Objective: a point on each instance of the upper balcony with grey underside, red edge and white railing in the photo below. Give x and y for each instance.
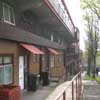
(50, 13)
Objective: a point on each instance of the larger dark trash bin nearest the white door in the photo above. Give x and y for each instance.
(33, 82)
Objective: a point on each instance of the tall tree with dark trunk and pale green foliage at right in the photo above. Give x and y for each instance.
(91, 16)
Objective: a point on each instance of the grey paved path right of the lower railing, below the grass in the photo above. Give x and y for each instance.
(91, 90)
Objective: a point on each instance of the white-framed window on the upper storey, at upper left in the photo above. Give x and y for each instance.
(9, 7)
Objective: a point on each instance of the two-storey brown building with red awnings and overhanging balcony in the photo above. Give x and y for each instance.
(37, 36)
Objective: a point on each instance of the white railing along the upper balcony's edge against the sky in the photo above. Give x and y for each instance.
(58, 7)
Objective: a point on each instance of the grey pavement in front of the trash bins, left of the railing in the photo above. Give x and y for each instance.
(40, 94)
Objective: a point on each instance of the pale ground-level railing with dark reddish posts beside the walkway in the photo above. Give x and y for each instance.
(71, 90)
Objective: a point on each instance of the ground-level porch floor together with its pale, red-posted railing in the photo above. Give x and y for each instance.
(70, 90)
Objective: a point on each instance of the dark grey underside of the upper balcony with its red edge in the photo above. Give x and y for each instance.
(46, 15)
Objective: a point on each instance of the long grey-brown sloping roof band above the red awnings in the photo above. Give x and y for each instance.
(10, 32)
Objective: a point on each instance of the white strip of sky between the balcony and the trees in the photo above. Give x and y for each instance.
(76, 15)
